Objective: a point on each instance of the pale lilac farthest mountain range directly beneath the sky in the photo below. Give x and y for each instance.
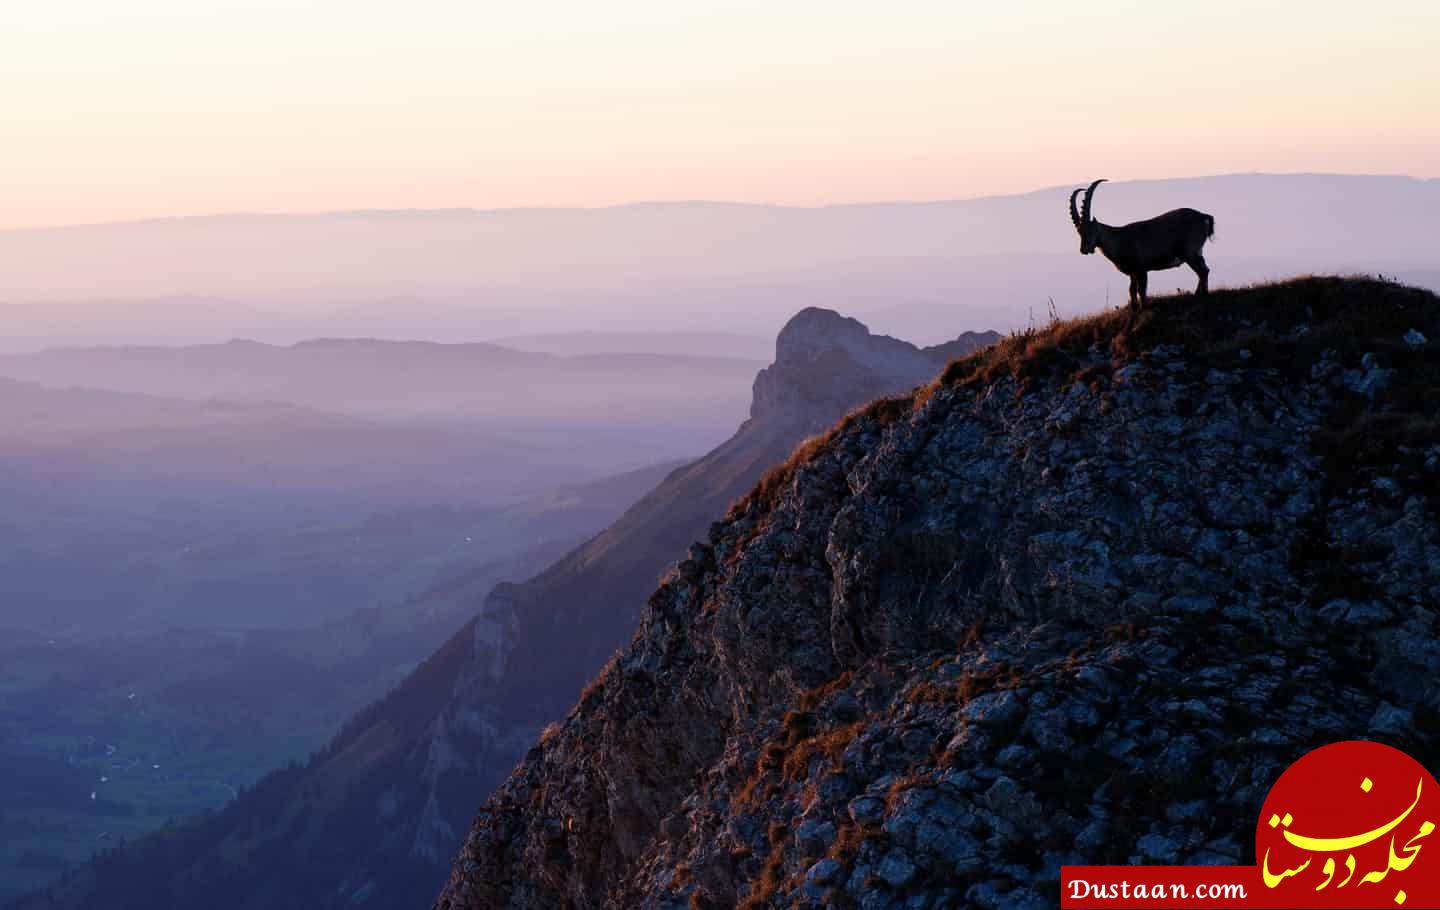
(922, 271)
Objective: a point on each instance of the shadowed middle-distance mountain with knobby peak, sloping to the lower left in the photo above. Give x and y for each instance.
(375, 819)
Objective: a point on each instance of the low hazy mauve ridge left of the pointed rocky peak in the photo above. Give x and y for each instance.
(411, 379)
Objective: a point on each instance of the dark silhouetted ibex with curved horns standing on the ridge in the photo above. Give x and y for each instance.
(1153, 245)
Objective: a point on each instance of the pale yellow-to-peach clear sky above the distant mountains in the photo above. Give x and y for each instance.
(153, 109)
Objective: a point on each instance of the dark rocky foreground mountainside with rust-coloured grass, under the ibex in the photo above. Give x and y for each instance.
(1081, 600)
